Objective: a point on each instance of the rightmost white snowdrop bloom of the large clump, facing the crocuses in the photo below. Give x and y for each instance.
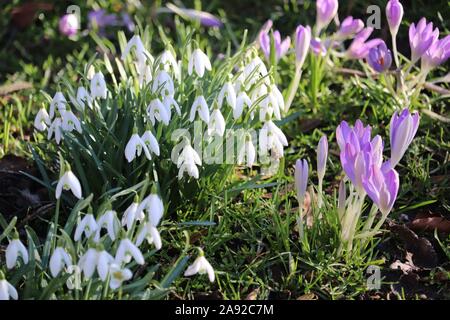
(272, 138)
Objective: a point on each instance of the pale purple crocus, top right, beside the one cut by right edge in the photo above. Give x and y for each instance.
(421, 37)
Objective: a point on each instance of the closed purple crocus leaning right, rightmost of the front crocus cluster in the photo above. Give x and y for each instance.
(403, 129)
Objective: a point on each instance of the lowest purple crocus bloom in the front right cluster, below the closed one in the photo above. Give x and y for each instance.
(382, 187)
